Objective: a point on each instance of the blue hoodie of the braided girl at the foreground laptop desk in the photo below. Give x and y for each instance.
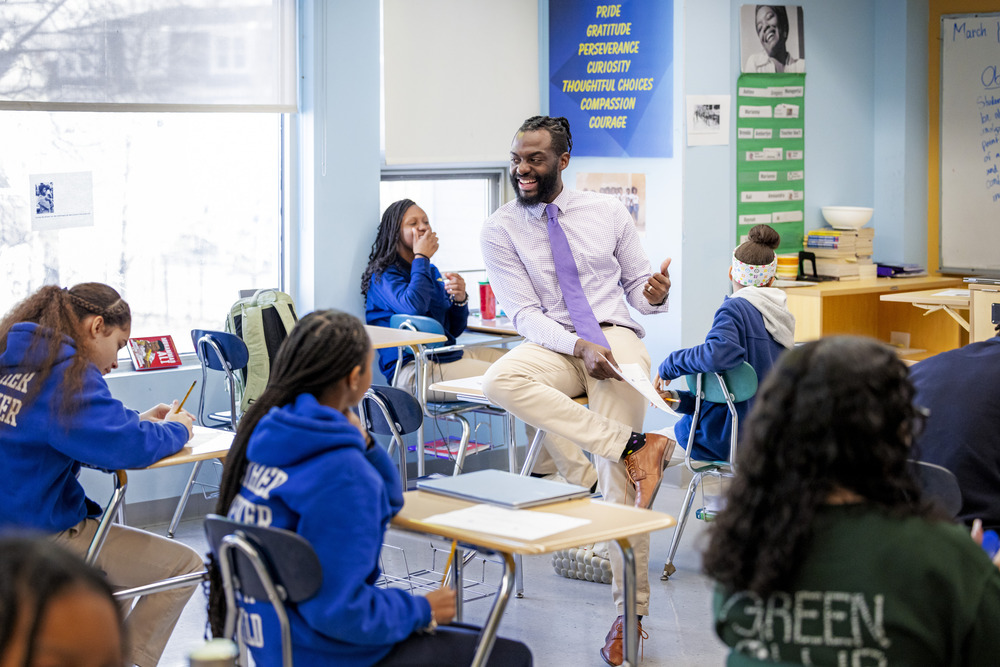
(308, 471)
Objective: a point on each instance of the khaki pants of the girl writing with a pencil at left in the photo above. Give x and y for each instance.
(130, 558)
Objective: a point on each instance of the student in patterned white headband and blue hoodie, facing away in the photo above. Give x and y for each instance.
(752, 325)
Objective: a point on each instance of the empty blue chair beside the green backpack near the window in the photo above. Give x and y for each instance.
(218, 351)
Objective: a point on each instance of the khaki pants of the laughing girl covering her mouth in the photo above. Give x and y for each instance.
(557, 454)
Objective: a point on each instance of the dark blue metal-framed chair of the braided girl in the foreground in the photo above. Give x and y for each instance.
(264, 563)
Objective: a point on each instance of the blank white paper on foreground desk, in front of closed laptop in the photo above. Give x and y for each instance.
(520, 524)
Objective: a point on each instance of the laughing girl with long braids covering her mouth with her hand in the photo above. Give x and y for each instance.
(400, 279)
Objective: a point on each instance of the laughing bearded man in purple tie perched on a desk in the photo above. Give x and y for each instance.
(564, 262)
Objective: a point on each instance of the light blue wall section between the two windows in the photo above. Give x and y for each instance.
(340, 164)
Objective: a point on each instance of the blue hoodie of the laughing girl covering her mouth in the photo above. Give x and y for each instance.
(413, 290)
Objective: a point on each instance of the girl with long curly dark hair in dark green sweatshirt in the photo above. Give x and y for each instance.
(825, 553)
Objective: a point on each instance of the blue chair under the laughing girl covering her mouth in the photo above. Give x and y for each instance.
(447, 411)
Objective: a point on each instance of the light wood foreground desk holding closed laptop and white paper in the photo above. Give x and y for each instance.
(606, 522)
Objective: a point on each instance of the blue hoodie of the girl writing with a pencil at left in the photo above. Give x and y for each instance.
(41, 450)
